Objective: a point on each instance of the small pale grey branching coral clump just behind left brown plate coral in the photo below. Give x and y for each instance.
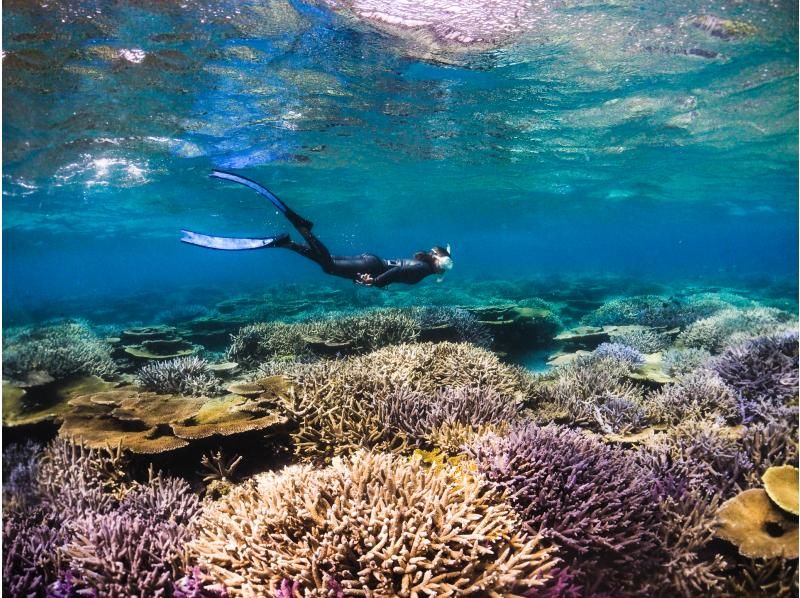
(182, 375)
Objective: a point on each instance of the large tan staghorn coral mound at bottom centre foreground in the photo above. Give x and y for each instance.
(373, 523)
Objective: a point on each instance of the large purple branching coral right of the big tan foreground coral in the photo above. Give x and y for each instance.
(555, 477)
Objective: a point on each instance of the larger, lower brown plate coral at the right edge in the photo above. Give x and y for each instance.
(759, 529)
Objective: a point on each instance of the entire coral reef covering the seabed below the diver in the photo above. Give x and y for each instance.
(401, 452)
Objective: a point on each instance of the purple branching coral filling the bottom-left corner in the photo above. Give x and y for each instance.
(86, 528)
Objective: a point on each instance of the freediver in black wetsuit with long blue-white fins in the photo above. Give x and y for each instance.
(365, 269)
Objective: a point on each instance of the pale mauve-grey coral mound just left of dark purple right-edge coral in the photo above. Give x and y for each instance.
(701, 394)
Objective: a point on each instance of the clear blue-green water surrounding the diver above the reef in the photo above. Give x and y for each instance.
(599, 142)
